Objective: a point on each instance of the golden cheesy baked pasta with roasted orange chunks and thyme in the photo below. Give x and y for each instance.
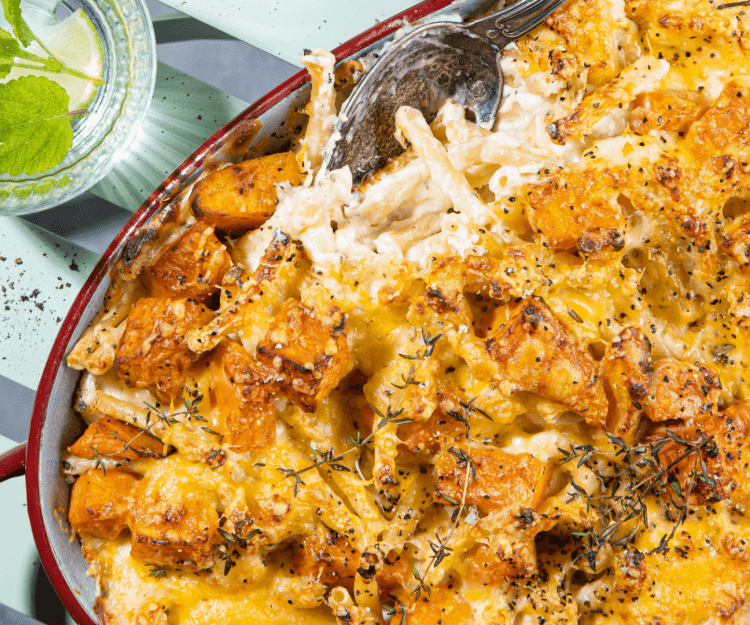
(504, 380)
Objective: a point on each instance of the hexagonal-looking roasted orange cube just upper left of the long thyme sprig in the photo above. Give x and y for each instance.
(307, 348)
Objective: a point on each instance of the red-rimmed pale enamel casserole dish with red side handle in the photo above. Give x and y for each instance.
(54, 425)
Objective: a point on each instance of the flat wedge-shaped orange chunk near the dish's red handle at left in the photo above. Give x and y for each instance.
(112, 437)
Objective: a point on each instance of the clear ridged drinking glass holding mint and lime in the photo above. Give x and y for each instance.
(115, 114)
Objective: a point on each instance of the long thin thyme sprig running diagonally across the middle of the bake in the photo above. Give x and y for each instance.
(392, 416)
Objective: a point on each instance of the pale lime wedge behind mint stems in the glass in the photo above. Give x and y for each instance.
(74, 42)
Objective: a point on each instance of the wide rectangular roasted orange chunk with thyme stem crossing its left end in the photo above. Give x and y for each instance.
(497, 480)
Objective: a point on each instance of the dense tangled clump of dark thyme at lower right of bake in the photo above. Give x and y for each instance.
(638, 474)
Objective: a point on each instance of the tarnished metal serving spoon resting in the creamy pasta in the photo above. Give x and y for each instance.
(433, 63)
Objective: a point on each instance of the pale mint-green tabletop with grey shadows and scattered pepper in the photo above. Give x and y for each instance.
(44, 259)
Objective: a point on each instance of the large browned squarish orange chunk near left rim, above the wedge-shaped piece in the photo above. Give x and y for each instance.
(152, 351)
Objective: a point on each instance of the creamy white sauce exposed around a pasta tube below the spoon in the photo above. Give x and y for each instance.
(406, 214)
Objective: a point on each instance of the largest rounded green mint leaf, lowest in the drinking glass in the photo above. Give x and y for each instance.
(35, 131)
